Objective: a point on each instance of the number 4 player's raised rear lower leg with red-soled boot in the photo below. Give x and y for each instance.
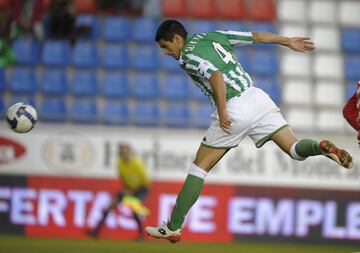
(302, 149)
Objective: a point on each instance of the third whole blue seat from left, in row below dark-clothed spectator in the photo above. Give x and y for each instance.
(85, 55)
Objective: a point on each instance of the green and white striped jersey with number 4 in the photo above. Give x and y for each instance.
(205, 53)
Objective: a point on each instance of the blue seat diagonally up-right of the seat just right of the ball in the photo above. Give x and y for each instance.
(84, 83)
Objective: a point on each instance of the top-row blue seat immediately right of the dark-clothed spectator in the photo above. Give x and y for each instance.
(116, 28)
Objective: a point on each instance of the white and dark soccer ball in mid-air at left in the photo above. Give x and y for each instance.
(21, 117)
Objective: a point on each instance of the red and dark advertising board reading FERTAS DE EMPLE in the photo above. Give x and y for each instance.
(67, 207)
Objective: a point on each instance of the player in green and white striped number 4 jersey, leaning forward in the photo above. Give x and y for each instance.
(241, 109)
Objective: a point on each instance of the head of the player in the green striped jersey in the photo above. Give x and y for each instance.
(171, 36)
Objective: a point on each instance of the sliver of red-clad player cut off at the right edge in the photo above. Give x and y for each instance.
(351, 111)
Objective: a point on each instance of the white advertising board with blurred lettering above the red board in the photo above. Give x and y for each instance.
(81, 151)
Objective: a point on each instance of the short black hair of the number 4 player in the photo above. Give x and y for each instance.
(168, 28)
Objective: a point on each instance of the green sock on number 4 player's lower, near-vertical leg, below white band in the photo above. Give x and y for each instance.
(187, 197)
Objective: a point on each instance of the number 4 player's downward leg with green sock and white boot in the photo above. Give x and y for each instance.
(205, 159)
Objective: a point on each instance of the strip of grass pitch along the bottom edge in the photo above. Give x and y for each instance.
(12, 244)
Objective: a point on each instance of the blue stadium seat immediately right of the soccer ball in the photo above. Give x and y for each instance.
(53, 109)
